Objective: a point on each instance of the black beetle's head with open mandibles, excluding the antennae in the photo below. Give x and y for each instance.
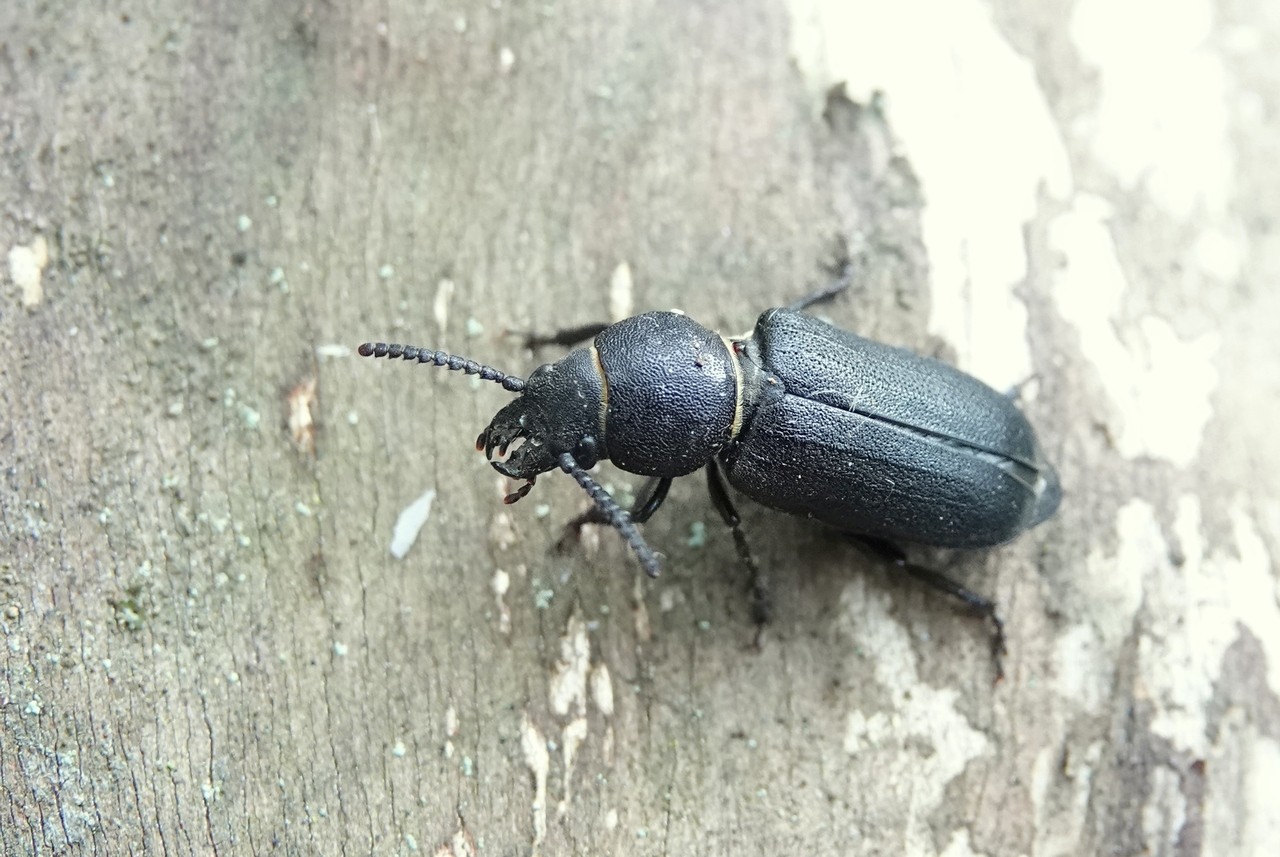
(557, 413)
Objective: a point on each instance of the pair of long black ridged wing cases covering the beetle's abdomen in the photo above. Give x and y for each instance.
(880, 442)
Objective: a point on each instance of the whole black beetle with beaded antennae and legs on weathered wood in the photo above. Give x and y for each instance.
(876, 442)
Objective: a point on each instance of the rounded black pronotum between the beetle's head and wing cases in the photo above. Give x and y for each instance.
(673, 393)
